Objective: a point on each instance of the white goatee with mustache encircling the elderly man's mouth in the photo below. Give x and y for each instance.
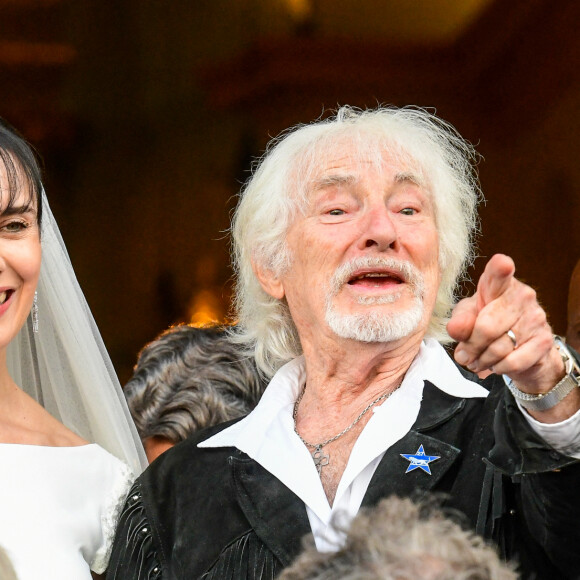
(376, 326)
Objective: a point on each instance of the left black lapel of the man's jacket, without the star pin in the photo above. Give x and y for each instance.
(276, 514)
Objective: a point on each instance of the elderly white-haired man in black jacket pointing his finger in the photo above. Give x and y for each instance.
(349, 241)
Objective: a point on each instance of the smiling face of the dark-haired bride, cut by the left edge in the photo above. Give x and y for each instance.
(20, 254)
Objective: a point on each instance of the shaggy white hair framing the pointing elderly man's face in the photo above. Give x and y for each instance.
(277, 193)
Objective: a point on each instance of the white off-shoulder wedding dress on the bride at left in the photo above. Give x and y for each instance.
(59, 508)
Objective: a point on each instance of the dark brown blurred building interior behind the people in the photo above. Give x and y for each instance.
(148, 114)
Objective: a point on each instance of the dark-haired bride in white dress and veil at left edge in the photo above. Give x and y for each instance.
(68, 448)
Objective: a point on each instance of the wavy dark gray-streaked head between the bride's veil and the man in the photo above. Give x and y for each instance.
(186, 379)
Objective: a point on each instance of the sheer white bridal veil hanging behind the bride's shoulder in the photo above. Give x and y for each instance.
(65, 365)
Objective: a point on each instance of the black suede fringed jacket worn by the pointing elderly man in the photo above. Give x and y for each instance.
(215, 514)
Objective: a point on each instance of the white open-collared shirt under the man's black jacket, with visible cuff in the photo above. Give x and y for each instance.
(267, 436)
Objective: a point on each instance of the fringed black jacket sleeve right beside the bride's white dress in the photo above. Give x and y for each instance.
(134, 555)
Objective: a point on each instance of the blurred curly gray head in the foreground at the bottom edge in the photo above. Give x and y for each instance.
(402, 540)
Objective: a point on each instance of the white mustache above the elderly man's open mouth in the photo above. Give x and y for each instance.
(405, 270)
